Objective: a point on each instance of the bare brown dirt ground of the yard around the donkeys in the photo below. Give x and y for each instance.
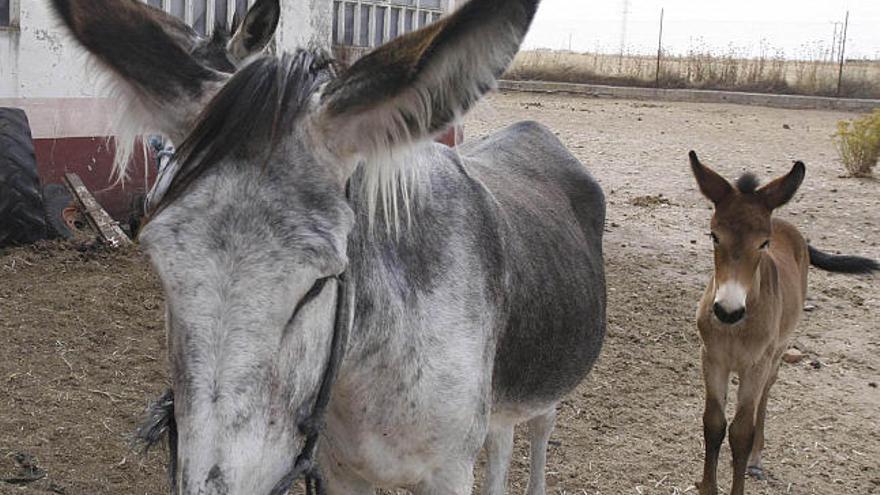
(82, 343)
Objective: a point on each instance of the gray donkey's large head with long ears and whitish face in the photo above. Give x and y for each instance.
(252, 224)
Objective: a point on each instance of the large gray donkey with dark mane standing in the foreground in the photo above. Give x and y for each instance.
(298, 302)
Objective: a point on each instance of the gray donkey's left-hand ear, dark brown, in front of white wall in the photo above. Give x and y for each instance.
(147, 50)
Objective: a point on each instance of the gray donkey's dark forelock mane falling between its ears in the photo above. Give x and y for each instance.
(257, 106)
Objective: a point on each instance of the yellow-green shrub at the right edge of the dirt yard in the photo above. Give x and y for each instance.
(858, 143)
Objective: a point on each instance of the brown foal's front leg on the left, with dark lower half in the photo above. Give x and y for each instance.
(715, 379)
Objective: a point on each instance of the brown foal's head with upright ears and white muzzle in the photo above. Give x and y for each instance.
(741, 230)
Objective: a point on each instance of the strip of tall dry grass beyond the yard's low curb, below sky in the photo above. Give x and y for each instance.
(770, 72)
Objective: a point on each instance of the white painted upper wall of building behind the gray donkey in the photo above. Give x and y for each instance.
(41, 61)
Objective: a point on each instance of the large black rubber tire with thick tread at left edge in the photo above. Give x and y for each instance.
(22, 219)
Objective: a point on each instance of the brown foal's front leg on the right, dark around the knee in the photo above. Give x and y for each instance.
(742, 429)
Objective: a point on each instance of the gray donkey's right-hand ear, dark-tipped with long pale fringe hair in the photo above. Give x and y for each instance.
(416, 85)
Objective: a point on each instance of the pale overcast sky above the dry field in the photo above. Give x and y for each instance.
(801, 28)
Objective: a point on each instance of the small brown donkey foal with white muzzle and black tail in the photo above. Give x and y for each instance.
(750, 309)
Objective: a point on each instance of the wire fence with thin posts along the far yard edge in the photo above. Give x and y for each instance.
(827, 58)
